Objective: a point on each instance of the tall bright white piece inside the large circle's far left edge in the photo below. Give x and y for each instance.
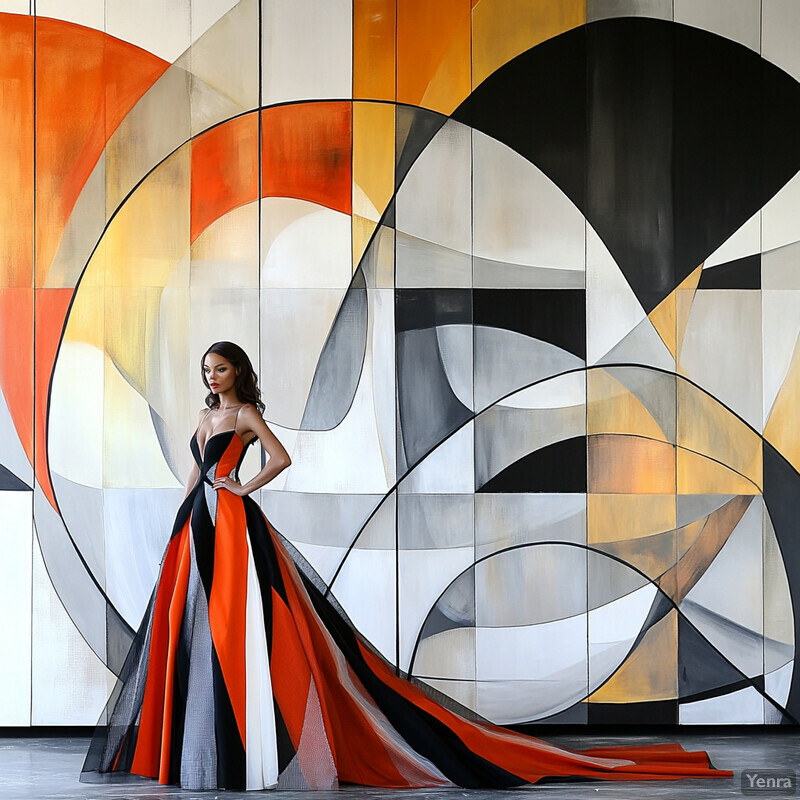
(76, 418)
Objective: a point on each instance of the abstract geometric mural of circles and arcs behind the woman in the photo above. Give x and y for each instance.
(522, 281)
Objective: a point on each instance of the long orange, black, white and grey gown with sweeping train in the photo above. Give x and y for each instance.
(244, 676)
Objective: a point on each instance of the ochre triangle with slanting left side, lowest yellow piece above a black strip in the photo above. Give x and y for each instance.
(650, 672)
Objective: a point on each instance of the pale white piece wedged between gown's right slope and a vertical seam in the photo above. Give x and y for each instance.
(366, 589)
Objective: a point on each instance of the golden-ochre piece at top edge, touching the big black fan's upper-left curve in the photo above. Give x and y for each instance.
(502, 29)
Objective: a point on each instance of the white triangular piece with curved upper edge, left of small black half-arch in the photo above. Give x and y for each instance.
(447, 468)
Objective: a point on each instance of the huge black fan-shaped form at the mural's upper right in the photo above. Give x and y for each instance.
(668, 138)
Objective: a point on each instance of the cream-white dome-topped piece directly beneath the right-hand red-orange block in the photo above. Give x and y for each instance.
(306, 246)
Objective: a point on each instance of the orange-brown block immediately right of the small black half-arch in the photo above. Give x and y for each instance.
(621, 464)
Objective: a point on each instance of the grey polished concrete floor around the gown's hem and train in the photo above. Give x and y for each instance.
(47, 768)
